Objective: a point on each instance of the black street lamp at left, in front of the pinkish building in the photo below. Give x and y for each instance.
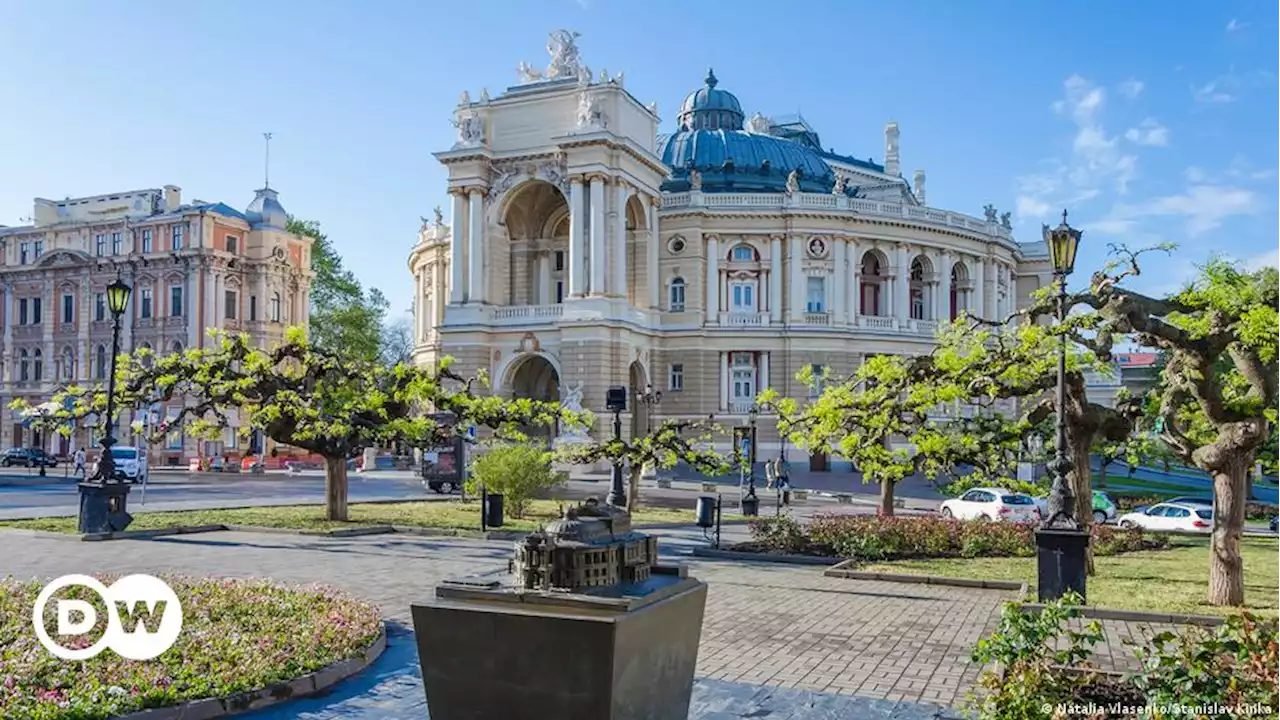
(103, 503)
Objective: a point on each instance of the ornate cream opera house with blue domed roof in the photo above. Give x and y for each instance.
(587, 250)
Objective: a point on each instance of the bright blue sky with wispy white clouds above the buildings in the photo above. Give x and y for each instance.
(1149, 121)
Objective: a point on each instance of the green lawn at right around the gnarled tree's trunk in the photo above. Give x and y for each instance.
(1165, 581)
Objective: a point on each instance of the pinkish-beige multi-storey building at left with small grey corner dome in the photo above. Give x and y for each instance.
(193, 267)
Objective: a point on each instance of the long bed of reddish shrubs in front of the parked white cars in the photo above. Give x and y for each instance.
(875, 539)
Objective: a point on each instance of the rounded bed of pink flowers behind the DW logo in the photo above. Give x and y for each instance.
(239, 636)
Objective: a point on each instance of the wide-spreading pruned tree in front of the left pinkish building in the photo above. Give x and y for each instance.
(308, 398)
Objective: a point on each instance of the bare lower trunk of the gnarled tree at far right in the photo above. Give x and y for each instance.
(1226, 567)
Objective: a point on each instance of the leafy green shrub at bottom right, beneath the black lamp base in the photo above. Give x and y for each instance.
(1025, 659)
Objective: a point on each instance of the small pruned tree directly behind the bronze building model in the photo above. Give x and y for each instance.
(674, 441)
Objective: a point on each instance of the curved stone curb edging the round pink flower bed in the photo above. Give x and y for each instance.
(276, 694)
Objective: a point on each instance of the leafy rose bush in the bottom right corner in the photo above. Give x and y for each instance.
(1236, 666)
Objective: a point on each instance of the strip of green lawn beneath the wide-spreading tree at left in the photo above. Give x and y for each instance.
(420, 514)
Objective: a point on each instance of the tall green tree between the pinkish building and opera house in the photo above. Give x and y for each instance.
(345, 317)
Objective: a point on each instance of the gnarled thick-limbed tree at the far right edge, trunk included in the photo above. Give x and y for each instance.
(1215, 420)
